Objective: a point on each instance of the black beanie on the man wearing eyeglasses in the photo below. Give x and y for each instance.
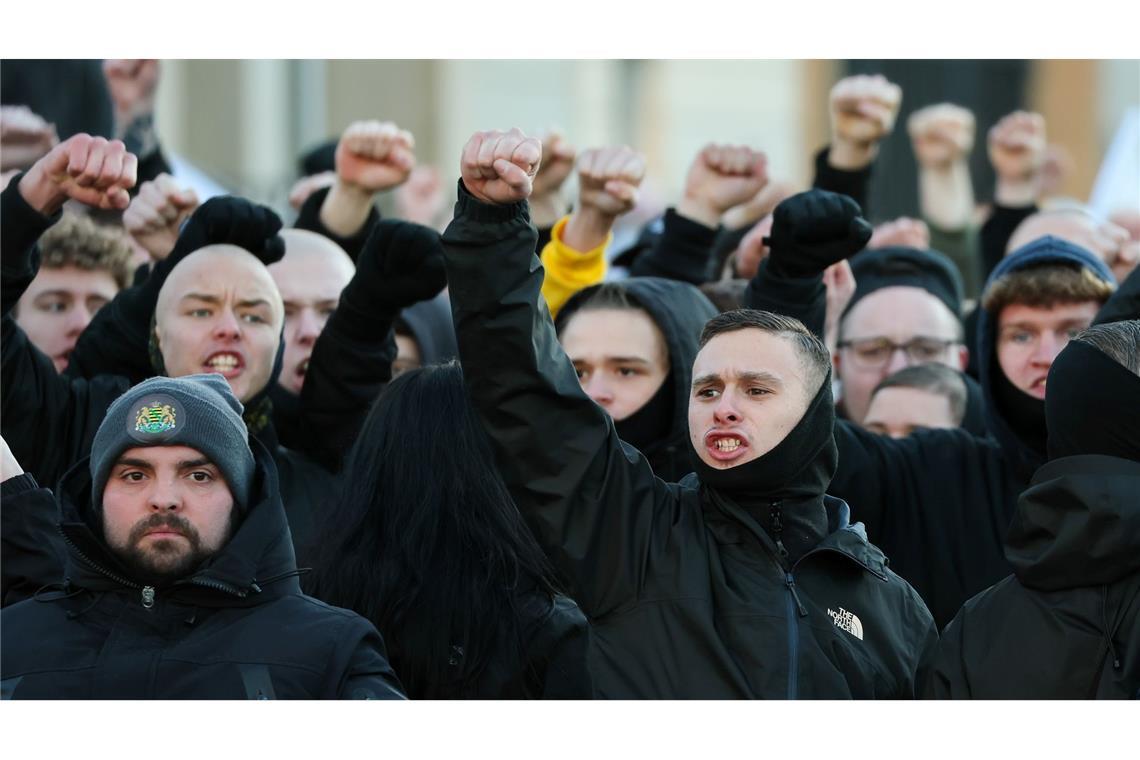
(898, 266)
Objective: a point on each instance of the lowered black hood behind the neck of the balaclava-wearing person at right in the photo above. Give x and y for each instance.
(1078, 525)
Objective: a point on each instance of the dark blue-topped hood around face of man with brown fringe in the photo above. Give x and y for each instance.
(1016, 420)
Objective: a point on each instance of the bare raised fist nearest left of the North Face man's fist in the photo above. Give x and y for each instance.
(374, 157)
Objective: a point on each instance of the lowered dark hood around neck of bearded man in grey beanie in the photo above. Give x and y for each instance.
(256, 566)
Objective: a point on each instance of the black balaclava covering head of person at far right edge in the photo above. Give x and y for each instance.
(1093, 405)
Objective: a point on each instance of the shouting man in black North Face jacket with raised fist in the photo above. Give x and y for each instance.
(743, 581)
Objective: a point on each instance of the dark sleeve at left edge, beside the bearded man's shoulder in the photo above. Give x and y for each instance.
(32, 549)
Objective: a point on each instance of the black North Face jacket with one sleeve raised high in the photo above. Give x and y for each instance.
(686, 601)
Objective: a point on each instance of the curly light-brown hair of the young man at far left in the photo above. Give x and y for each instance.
(77, 241)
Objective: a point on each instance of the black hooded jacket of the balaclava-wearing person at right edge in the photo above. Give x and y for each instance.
(1066, 625)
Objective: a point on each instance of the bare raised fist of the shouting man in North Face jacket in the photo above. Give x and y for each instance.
(501, 167)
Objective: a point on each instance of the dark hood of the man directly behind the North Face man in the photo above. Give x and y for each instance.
(680, 312)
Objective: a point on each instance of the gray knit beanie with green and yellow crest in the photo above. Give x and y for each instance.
(199, 412)
